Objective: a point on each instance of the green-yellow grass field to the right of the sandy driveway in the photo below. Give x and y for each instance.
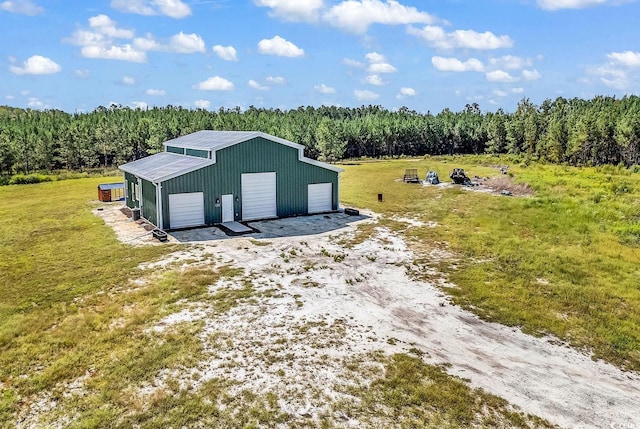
(565, 261)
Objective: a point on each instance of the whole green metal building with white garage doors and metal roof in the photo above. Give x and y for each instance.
(211, 177)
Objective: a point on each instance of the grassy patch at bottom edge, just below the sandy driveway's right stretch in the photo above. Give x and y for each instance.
(412, 394)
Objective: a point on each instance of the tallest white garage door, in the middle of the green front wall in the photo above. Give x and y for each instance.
(259, 196)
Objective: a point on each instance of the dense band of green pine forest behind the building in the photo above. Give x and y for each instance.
(603, 130)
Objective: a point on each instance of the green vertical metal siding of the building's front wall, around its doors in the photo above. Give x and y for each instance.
(253, 156)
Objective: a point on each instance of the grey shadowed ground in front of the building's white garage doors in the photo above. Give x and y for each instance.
(276, 228)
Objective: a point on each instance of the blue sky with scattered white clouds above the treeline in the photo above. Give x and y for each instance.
(76, 55)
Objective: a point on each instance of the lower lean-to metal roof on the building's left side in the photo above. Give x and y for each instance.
(164, 166)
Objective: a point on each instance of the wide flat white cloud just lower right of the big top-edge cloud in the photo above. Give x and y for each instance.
(463, 39)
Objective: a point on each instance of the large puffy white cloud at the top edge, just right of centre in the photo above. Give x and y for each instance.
(357, 15)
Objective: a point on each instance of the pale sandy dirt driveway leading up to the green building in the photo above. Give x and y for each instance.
(367, 289)
